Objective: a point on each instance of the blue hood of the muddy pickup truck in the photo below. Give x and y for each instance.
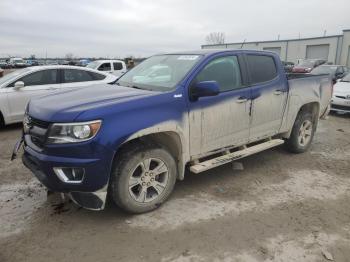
(64, 106)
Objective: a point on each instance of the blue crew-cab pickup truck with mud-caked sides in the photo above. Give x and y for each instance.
(191, 110)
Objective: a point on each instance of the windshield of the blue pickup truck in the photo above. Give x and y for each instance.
(159, 73)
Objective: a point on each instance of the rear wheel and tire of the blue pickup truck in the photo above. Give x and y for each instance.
(304, 126)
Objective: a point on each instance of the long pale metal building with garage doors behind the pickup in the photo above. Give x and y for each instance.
(335, 48)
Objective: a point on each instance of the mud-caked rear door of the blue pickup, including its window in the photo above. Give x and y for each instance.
(269, 95)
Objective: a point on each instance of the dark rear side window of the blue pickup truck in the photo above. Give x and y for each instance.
(262, 68)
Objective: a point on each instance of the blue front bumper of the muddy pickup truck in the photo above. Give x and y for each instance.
(90, 193)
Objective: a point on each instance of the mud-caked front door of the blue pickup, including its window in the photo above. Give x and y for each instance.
(222, 120)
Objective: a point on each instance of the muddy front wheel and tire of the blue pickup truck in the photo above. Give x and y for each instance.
(142, 178)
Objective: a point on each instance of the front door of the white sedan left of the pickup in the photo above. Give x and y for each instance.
(35, 84)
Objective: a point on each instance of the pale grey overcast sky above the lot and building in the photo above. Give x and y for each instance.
(114, 28)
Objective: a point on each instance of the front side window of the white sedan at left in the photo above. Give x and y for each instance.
(44, 77)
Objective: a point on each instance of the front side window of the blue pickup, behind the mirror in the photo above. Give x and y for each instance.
(225, 71)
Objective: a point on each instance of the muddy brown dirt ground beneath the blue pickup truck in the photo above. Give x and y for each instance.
(280, 207)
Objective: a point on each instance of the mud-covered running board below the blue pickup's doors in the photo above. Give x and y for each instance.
(227, 158)
